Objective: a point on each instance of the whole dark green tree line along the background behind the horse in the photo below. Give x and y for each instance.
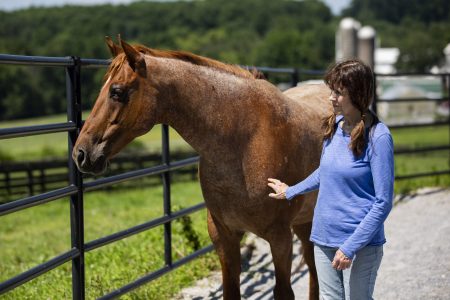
(275, 33)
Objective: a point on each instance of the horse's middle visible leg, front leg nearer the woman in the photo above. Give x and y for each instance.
(281, 247)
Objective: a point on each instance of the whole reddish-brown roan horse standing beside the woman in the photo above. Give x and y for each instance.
(244, 129)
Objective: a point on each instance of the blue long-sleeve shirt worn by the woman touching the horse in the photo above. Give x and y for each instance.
(355, 194)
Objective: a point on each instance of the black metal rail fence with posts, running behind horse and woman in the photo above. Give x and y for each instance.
(76, 187)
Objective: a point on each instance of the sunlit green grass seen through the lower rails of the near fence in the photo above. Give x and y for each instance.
(34, 235)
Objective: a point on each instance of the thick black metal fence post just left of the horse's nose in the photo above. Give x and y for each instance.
(73, 88)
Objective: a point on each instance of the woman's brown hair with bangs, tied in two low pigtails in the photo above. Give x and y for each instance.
(357, 79)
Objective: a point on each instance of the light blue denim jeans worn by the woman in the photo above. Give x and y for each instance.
(354, 283)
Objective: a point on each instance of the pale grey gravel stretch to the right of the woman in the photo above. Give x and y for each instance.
(416, 263)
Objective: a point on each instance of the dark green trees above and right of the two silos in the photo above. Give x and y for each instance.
(420, 29)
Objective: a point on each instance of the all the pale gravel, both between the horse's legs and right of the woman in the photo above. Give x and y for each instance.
(416, 263)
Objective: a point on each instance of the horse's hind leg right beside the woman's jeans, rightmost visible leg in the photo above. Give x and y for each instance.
(303, 232)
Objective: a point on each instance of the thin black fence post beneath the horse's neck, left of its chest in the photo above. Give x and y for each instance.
(166, 195)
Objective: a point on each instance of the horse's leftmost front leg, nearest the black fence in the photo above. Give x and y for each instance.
(227, 245)
